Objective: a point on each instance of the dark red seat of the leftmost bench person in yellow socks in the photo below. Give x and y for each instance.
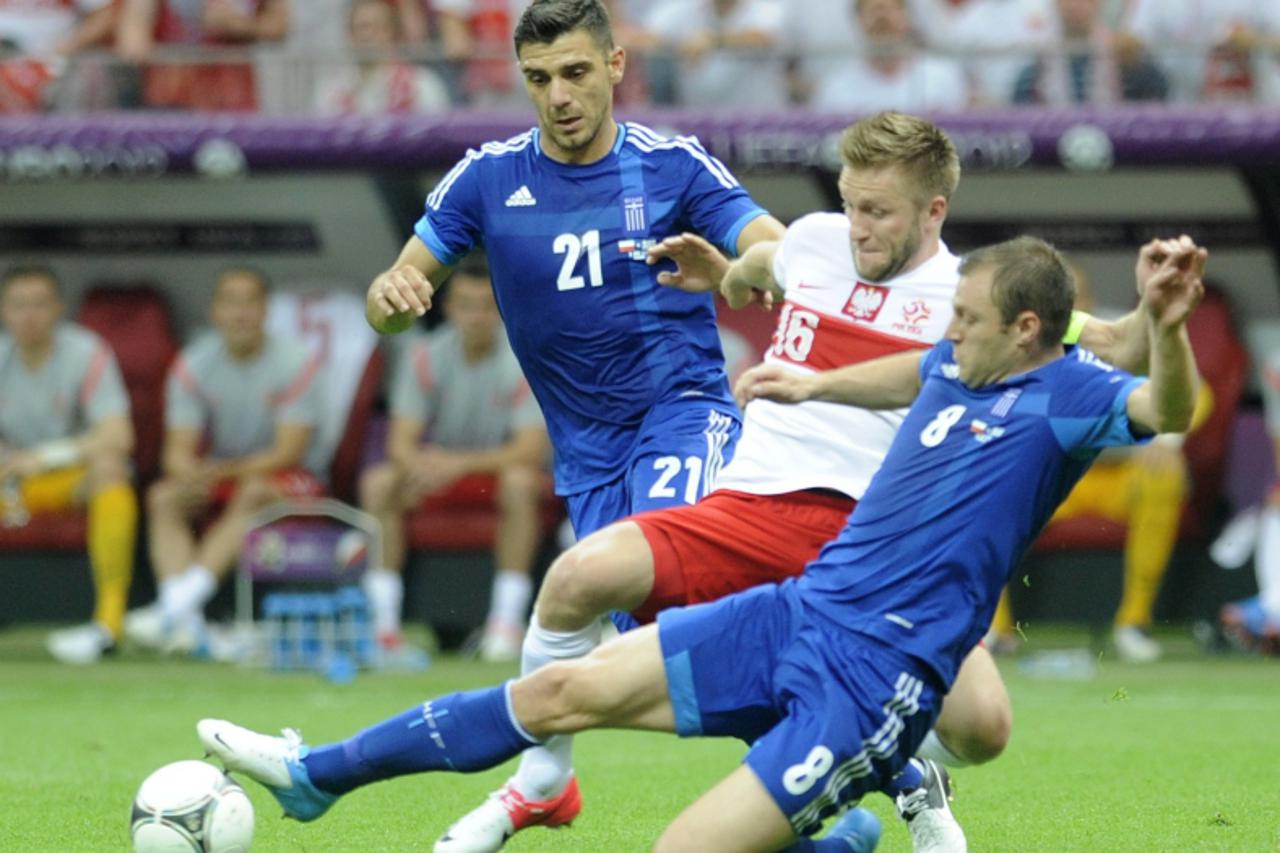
(135, 322)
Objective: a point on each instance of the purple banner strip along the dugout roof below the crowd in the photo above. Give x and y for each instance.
(150, 145)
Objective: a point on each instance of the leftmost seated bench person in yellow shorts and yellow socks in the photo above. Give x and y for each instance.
(66, 439)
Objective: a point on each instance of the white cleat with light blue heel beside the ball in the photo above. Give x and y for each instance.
(275, 763)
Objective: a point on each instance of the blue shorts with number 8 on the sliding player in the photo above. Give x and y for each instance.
(830, 715)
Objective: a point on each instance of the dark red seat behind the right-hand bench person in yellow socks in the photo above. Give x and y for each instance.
(1224, 364)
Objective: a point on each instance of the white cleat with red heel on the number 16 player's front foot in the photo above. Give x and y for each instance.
(488, 827)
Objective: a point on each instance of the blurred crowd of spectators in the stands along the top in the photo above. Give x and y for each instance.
(386, 57)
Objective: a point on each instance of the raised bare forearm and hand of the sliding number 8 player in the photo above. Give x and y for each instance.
(1167, 403)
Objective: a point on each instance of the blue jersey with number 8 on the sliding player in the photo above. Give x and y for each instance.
(970, 481)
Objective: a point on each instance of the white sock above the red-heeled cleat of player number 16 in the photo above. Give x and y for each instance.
(546, 770)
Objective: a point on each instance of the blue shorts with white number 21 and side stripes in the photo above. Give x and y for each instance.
(674, 464)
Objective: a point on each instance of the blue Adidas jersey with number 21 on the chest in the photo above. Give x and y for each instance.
(605, 346)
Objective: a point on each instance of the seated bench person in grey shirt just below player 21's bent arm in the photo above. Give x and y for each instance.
(464, 426)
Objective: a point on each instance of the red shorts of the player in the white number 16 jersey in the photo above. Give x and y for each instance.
(732, 541)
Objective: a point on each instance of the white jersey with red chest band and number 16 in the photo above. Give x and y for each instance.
(833, 318)
